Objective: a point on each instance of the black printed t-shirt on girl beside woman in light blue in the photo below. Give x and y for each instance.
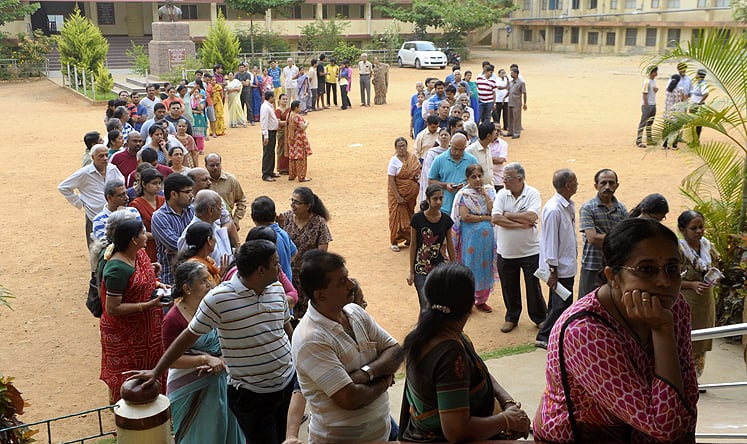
(429, 241)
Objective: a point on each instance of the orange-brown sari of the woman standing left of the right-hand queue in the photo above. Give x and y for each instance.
(406, 183)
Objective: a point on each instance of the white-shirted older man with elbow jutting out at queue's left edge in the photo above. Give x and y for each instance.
(89, 181)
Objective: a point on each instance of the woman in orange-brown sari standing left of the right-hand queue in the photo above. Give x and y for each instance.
(402, 192)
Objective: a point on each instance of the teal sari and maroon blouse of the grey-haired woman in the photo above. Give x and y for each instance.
(209, 420)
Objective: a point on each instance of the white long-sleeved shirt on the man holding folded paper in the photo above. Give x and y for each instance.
(558, 244)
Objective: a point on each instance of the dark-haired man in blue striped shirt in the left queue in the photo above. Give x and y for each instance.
(169, 221)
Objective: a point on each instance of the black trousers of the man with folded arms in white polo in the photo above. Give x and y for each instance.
(508, 270)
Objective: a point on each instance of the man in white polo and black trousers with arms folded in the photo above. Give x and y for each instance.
(515, 212)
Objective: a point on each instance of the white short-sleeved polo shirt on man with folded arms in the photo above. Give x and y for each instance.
(514, 243)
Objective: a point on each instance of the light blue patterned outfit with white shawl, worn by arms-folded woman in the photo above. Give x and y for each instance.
(474, 242)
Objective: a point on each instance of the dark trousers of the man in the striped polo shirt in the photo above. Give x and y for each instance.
(261, 416)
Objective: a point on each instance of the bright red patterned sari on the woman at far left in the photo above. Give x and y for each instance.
(132, 341)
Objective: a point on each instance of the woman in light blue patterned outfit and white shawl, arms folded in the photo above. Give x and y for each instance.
(473, 233)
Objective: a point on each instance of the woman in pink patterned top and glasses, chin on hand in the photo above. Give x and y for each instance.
(623, 353)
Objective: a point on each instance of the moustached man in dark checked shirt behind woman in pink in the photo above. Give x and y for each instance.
(597, 217)
